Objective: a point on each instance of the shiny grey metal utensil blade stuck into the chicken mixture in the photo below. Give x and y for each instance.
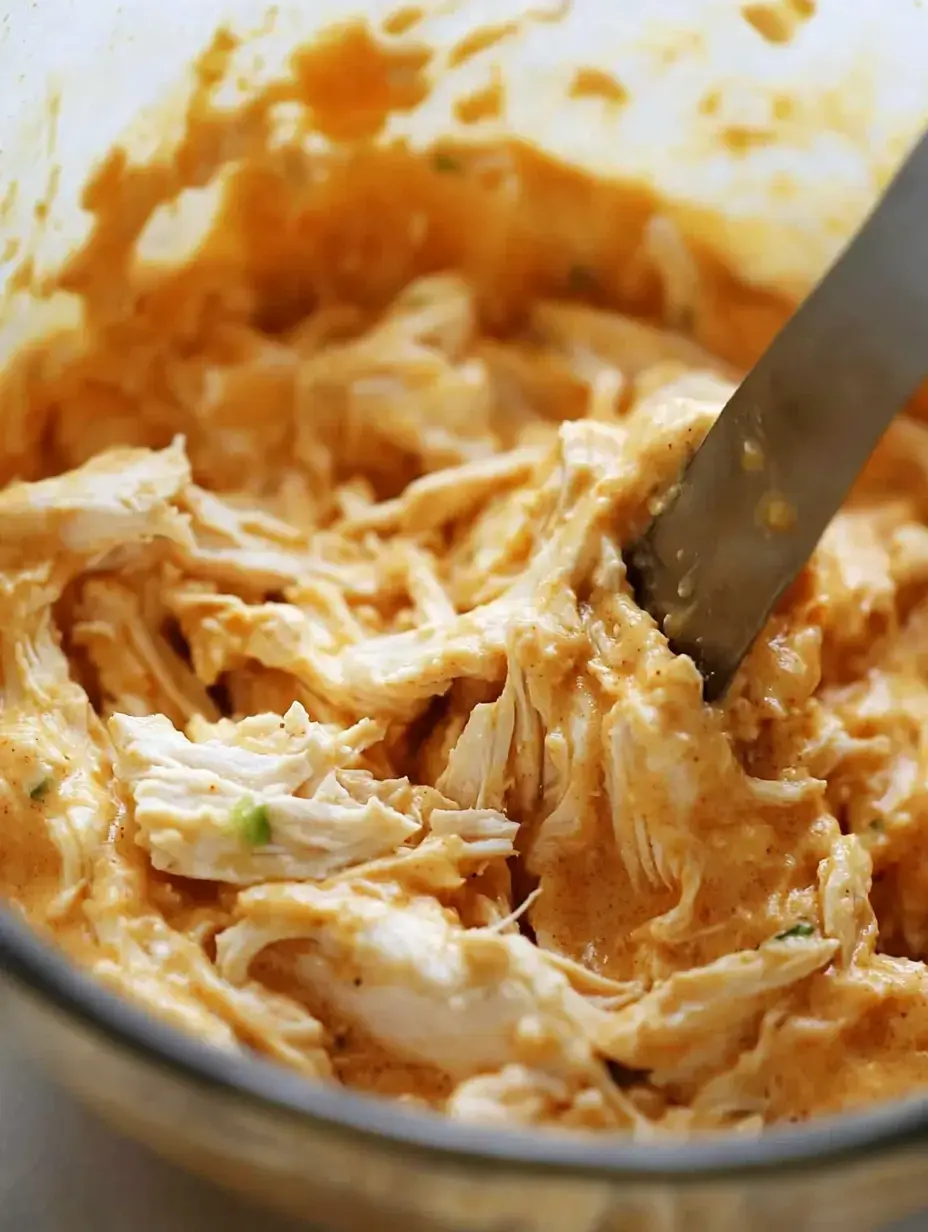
(781, 459)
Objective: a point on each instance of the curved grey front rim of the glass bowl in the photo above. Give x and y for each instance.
(31, 963)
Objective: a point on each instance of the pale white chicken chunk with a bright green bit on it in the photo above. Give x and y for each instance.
(221, 811)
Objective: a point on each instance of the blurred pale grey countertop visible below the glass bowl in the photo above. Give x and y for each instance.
(62, 1170)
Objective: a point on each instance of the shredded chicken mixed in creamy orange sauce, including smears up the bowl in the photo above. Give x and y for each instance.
(426, 399)
